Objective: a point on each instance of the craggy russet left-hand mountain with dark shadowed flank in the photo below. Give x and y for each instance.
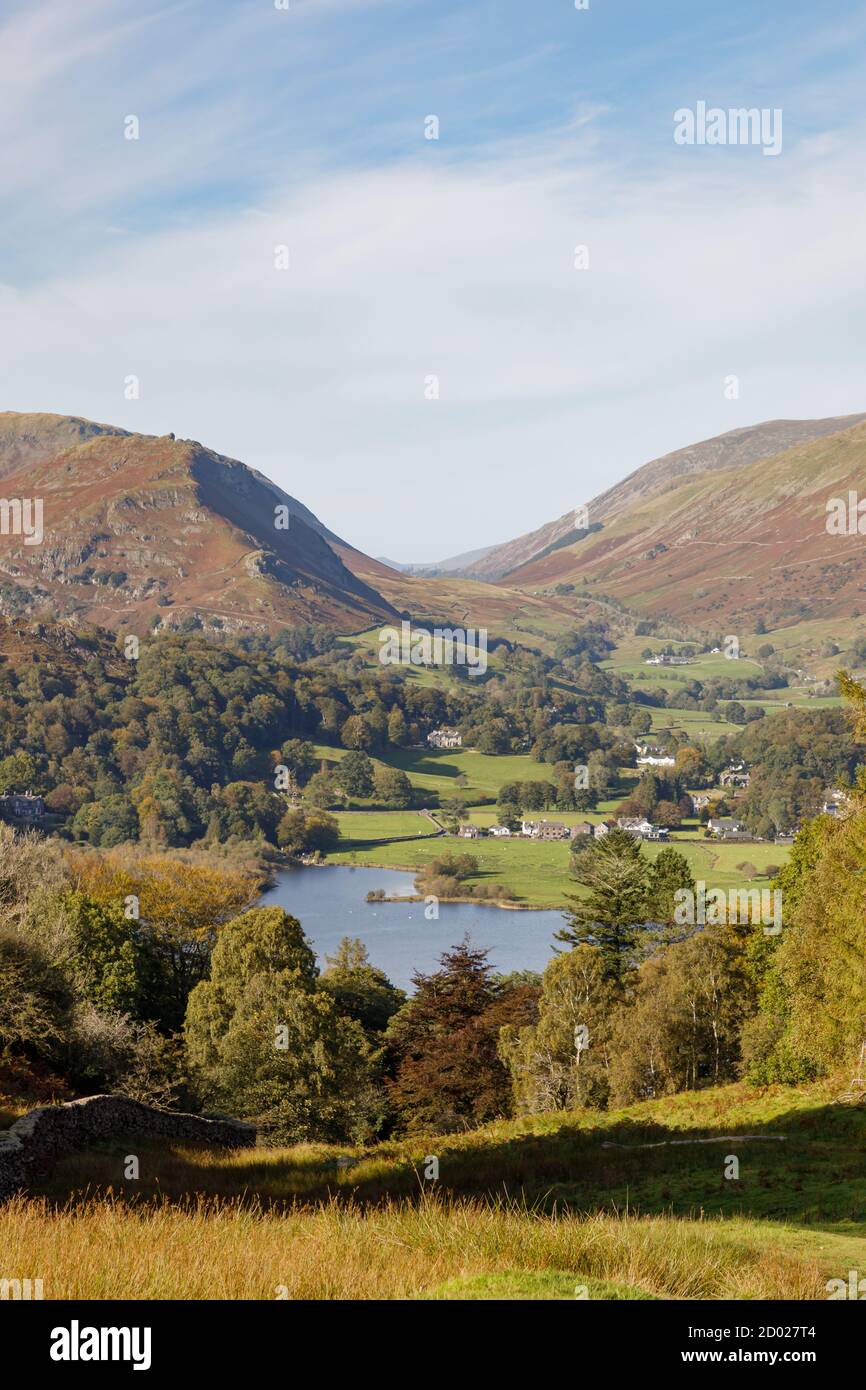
(141, 528)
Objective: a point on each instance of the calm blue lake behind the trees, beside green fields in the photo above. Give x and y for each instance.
(330, 904)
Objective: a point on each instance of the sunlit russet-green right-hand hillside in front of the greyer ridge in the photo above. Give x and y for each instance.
(735, 540)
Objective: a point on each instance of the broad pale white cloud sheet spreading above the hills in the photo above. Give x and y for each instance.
(554, 382)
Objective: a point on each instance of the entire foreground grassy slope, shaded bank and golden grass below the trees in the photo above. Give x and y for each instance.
(628, 1204)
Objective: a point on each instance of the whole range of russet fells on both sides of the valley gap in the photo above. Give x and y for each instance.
(144, 532)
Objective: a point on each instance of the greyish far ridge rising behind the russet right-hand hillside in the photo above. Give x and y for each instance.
(736, 450)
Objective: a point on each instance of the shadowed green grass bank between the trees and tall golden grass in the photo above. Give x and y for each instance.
(636, 1160)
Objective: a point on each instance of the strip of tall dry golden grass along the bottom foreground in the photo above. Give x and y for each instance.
(211, 1250)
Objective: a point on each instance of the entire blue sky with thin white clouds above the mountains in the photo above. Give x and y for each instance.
(412, 258)
